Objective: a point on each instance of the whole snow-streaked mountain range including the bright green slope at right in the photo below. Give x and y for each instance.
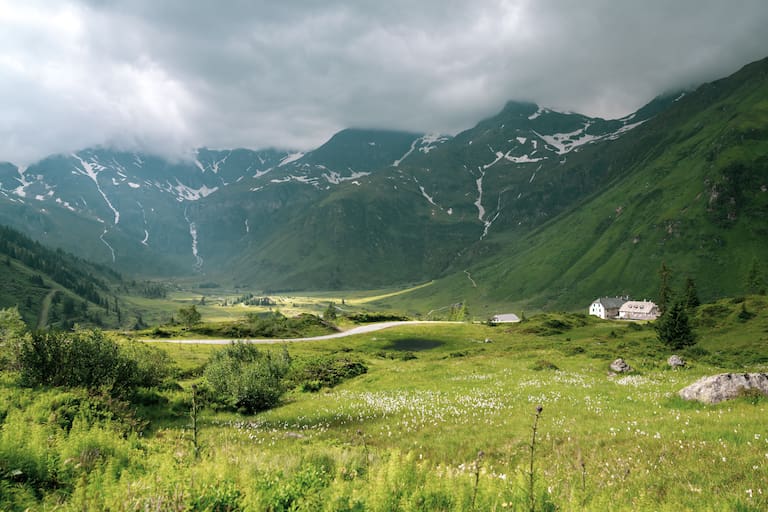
(532, 207)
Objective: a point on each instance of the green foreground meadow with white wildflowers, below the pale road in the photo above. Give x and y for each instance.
(436, 417)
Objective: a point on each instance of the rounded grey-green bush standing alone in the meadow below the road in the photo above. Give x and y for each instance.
(244, 378)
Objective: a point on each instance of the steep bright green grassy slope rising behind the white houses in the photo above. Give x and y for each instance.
(688, 188)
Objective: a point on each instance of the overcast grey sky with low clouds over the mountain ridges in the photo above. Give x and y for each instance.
(169, 75)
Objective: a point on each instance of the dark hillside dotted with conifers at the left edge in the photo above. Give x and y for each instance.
(52, 288)
